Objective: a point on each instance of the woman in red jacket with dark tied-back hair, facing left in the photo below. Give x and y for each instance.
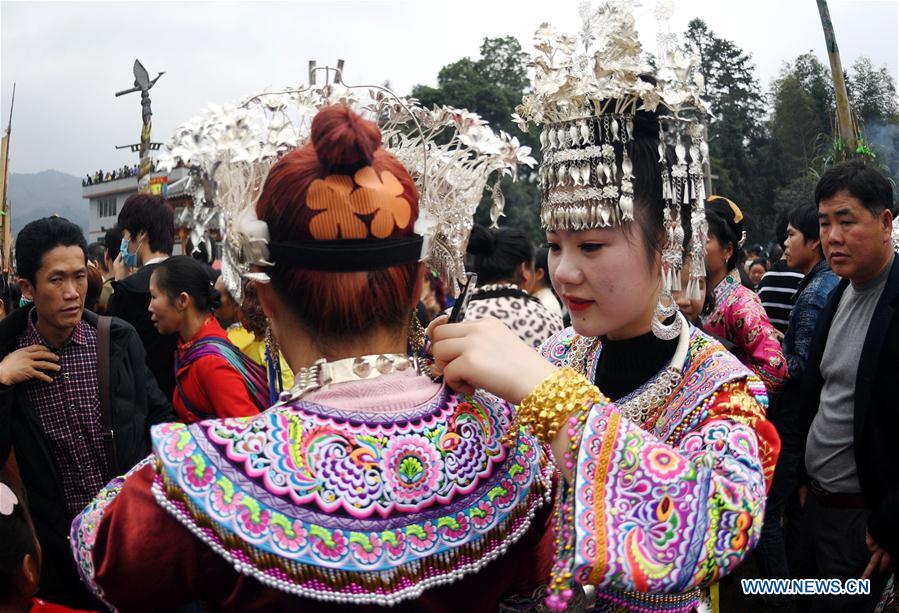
(214, 379)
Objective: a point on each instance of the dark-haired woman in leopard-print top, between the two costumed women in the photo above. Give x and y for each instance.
(502, 260)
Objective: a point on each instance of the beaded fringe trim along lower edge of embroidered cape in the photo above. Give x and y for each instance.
(378, 588)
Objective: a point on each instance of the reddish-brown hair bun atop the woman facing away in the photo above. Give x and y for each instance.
(343, 138)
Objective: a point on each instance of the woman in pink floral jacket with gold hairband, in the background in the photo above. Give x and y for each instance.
(738, 315)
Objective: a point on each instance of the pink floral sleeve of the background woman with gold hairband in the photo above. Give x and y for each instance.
(749, 328)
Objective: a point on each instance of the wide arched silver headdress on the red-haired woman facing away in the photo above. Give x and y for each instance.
(451, 155)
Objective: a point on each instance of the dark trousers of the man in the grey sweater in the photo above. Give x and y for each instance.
(833, 546)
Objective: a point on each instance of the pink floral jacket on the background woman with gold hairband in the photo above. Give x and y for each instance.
(740, 318)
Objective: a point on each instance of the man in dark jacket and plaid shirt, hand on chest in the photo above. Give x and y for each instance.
(50, 408)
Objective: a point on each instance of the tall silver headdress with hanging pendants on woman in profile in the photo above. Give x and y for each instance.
(588, 90)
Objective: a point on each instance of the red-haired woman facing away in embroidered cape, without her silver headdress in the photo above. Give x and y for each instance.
(369, 483)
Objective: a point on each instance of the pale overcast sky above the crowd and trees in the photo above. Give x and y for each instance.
(68, 59)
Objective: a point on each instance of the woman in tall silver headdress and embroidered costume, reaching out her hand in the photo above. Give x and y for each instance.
(659, 432)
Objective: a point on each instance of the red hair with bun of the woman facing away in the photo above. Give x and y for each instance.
(336, 305)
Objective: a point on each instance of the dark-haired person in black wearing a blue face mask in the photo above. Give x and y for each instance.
(148, 234)
